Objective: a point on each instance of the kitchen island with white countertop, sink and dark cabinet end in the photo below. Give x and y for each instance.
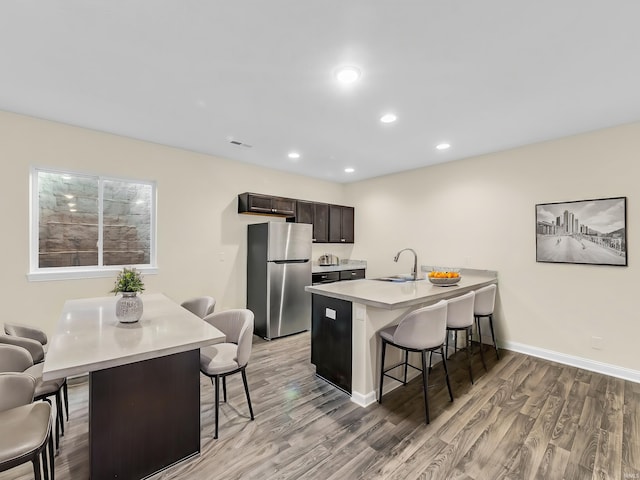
(346, 317)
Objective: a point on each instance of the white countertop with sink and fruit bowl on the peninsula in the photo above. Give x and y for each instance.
(392, 295)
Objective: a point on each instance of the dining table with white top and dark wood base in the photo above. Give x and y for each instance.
(144, 381)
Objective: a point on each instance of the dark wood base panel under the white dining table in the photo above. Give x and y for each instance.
(144, 416)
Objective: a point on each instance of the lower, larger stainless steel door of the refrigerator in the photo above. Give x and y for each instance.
(289, 306)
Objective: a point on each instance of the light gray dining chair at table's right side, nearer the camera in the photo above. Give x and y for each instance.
(223, 359)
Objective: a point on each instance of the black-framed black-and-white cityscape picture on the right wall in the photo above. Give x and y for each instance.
(584, 231)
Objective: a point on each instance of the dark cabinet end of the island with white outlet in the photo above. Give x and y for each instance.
(331, 342)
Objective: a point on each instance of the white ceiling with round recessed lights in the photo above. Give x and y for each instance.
(481, 75)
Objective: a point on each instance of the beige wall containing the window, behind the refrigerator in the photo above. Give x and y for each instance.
(201, 238)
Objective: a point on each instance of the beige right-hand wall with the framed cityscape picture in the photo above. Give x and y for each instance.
(480, 213)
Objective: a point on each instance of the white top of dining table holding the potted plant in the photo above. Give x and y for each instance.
(89, 337)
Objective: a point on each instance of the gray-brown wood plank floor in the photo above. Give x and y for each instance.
(525, 418)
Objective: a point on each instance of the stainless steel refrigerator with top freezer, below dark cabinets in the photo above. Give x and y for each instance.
(278, 269)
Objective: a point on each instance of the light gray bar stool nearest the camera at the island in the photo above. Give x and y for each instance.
(422, 330)
